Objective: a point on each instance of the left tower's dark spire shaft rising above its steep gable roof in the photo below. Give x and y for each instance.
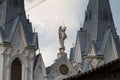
(9, 10)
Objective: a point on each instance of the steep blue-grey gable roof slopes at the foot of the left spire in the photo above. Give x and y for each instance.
(30, 38)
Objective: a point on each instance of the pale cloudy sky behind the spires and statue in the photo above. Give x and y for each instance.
(50, 14)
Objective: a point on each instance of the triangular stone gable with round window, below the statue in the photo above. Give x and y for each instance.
(57, 71)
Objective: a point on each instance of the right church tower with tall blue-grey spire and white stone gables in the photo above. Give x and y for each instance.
(97, 42)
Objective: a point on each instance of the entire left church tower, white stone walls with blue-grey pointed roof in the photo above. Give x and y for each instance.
(18, 44)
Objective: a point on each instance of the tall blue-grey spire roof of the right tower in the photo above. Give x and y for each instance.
(98, 19)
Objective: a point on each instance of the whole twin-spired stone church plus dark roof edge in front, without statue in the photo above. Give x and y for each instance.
(97, 46)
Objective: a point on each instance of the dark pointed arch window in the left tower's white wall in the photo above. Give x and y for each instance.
(16, 70)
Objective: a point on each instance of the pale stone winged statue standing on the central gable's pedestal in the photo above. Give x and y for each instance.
(62, 36)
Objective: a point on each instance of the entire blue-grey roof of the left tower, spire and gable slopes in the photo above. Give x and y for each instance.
(12, 13)
